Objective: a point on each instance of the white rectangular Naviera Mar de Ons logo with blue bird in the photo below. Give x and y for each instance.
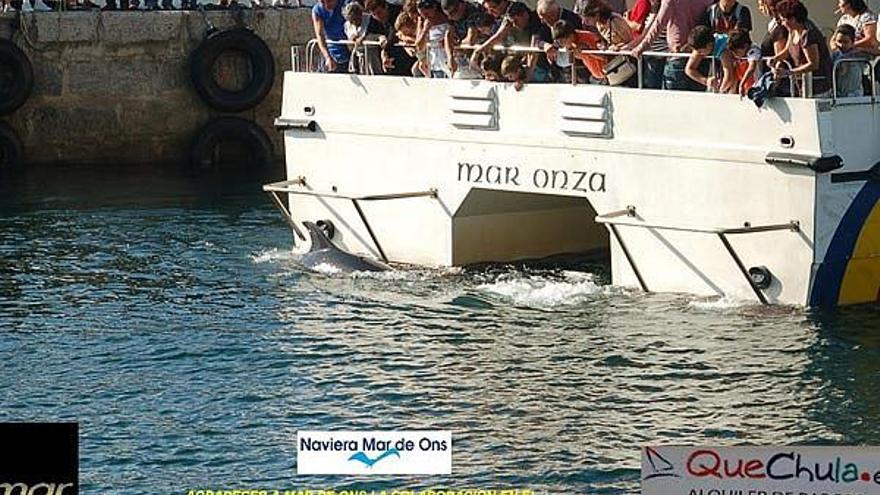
(374, 452)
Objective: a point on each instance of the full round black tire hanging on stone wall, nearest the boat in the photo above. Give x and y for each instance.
(262, 70)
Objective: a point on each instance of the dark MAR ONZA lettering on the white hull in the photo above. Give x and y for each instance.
(541, 178)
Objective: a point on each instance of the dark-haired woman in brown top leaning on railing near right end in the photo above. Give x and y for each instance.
(806, 49)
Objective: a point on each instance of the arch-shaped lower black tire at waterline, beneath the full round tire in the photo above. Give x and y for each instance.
(204, 156)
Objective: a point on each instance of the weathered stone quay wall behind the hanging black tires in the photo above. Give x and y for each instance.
(114, 87)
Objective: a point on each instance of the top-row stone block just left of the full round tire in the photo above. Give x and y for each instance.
(124, 28)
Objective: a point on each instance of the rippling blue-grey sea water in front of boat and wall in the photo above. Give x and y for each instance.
(167, 314)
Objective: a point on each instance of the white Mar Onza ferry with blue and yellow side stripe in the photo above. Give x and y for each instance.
(689, 192)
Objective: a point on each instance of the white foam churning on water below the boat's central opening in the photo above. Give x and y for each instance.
(543, 290)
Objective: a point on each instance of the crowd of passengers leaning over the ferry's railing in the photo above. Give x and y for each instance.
(709, 44)
